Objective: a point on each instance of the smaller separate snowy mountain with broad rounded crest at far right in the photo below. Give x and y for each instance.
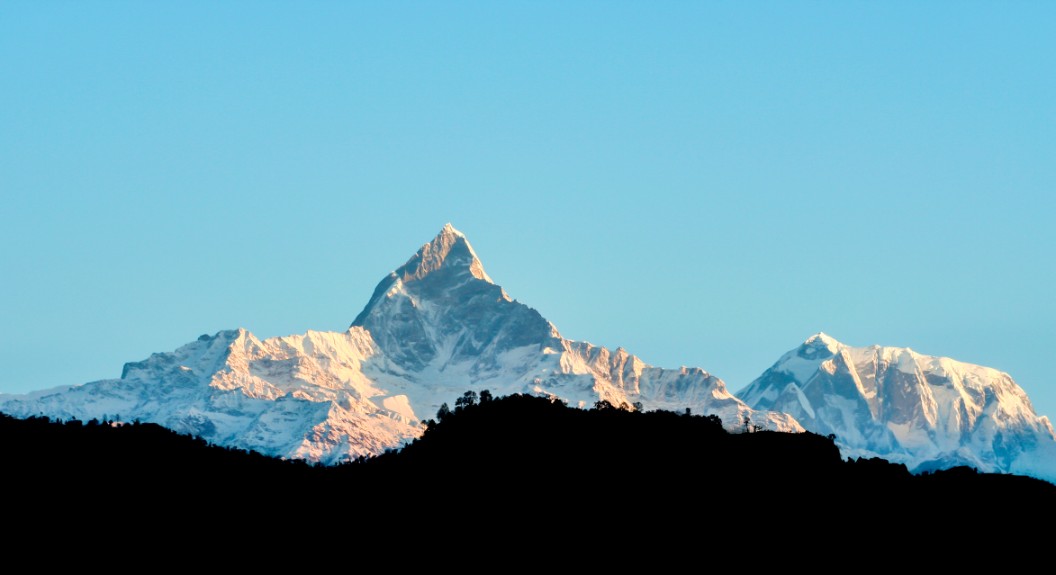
(927, 412)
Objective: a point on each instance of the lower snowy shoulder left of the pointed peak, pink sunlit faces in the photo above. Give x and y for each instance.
(300, 396)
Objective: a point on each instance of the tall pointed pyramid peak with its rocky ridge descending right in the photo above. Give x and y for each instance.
(445, 324)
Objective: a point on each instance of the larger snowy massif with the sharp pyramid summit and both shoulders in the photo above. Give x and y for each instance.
(435, 329)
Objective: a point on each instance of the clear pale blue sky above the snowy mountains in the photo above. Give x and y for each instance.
(705, 184)
